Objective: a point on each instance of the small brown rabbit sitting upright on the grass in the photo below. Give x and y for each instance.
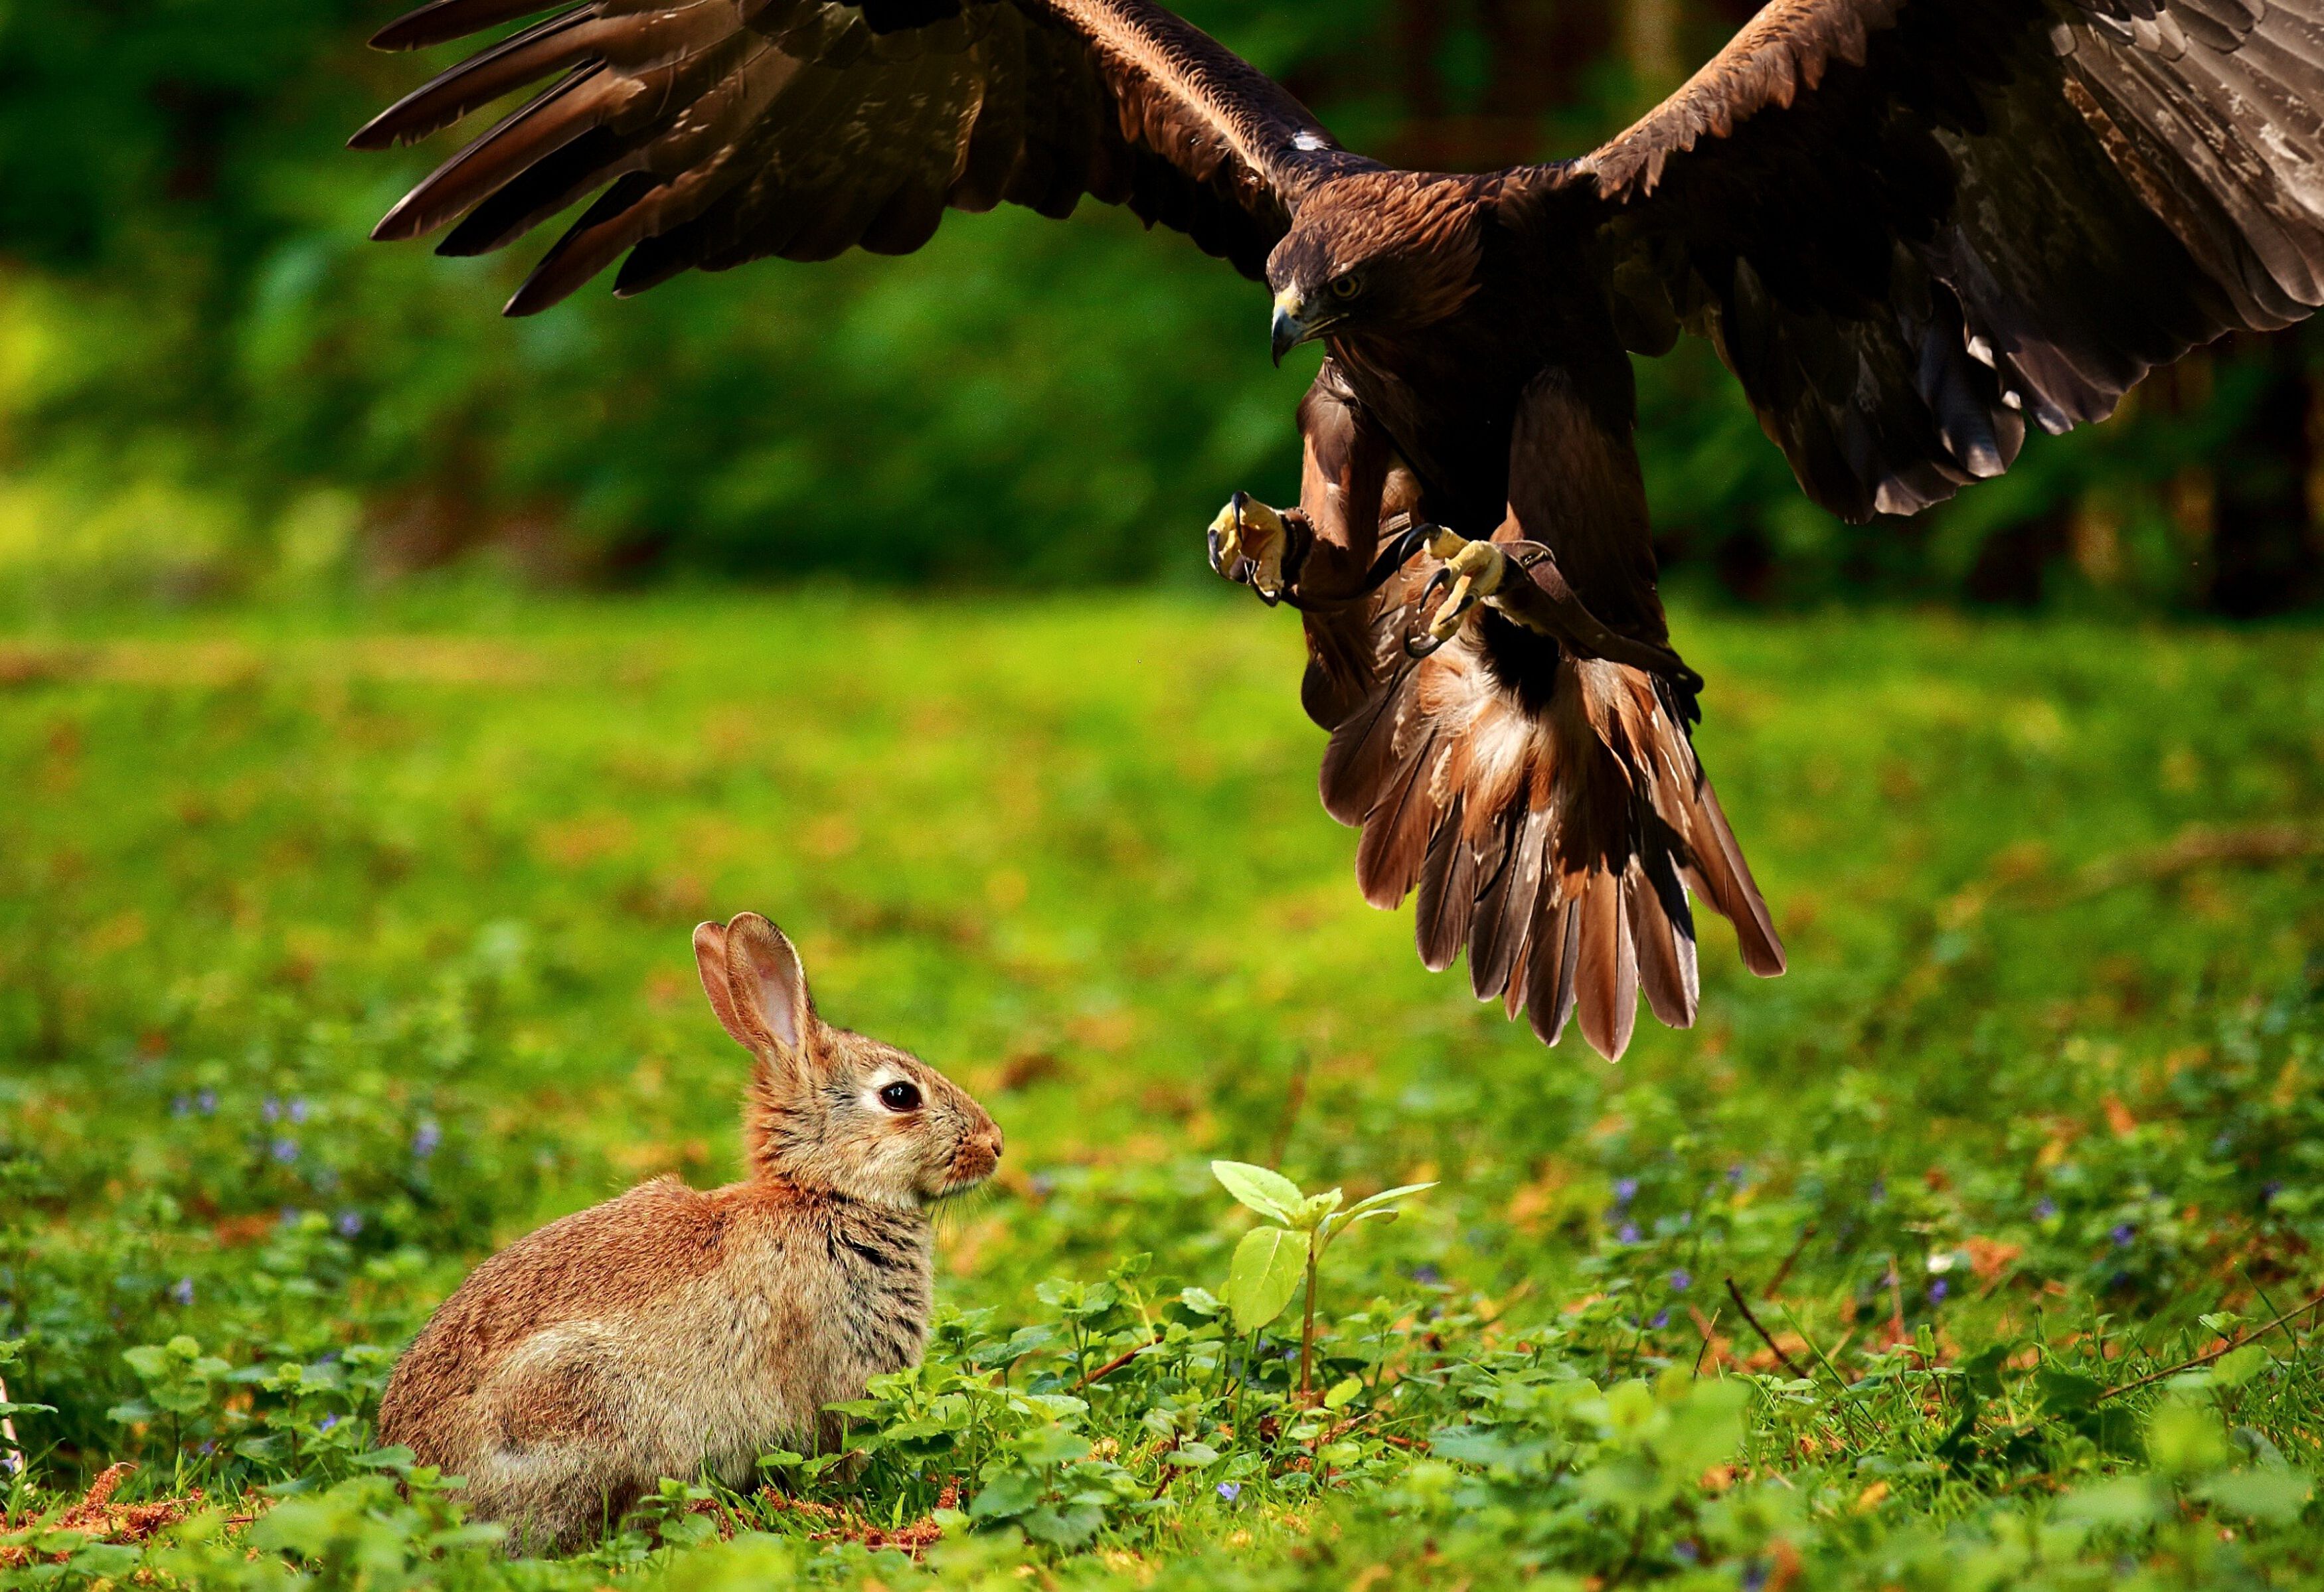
(675, 1333)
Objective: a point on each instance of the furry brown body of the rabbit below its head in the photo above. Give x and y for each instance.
(659, 1335)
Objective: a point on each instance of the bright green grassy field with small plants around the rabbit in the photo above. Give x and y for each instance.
(338, 952)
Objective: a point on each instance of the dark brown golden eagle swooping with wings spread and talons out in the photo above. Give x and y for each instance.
(1909, 227)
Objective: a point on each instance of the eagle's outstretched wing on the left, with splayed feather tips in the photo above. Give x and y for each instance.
(724, 131)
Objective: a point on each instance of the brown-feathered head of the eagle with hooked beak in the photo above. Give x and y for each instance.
(1377, 254)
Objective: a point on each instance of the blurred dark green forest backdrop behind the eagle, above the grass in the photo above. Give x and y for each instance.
(213, 385)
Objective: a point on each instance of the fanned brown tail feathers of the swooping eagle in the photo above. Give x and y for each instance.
(1551, 831)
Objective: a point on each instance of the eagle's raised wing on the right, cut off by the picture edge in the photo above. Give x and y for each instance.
(1916, 224)
